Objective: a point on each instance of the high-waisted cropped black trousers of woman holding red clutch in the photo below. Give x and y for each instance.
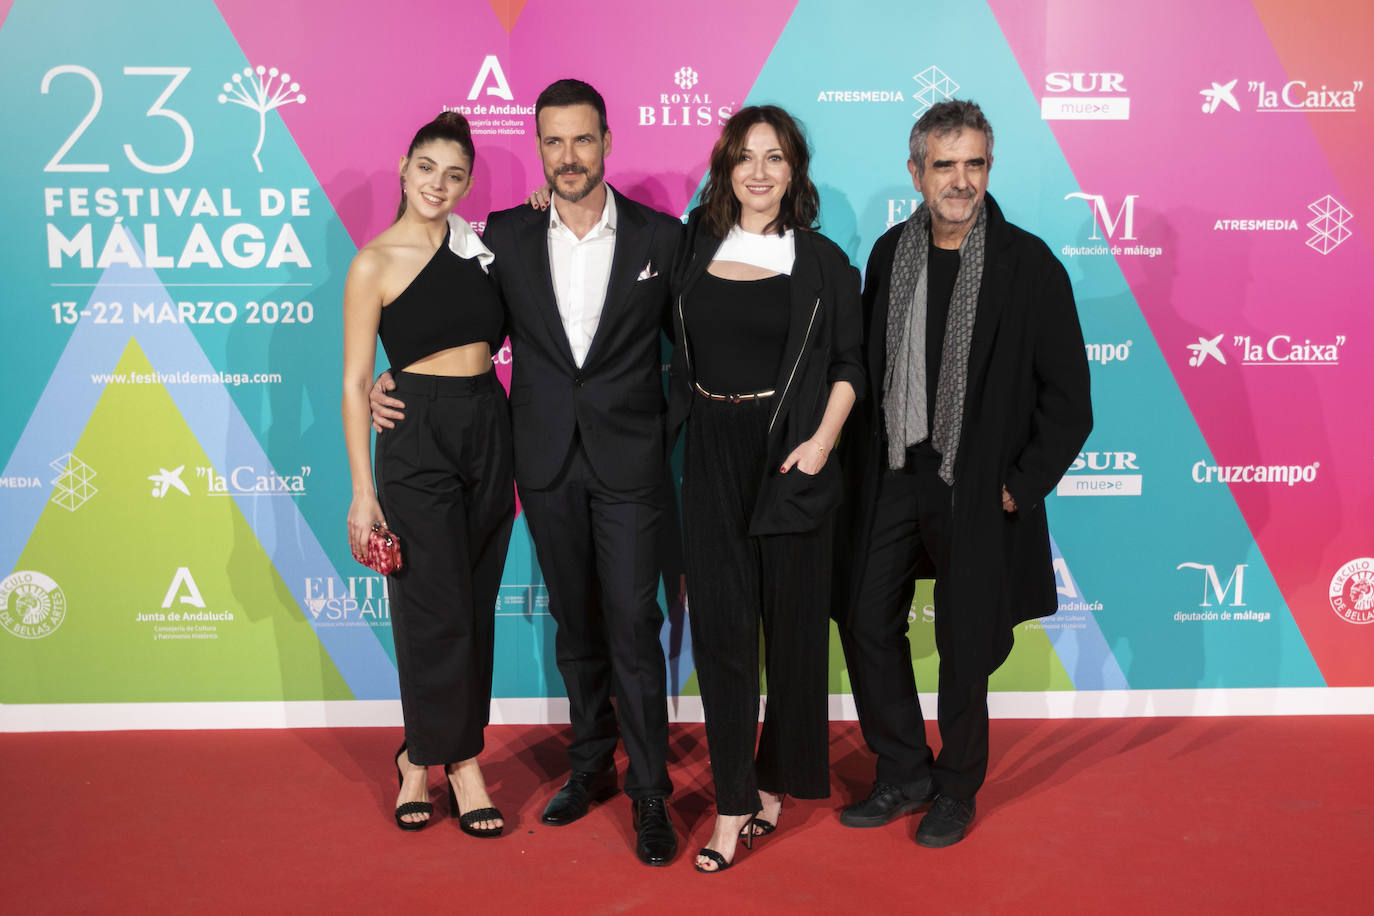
(446, 487)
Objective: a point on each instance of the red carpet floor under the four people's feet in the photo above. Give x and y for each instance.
(1079, 816)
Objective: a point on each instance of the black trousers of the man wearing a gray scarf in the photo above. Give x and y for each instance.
(913, 521)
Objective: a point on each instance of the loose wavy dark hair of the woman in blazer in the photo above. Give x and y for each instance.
(800, 201)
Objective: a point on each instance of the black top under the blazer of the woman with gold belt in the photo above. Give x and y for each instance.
(739, 330)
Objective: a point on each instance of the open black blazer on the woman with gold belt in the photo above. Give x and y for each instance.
(824, 347)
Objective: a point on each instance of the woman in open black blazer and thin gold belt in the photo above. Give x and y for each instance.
(765, 376)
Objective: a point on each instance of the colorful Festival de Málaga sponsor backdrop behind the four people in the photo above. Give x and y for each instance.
(186, 182)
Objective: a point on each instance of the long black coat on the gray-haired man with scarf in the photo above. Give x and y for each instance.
(1027, 413)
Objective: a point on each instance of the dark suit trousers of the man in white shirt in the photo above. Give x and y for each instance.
(598, 549)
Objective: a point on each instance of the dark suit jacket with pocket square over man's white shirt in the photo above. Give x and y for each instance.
(616, 400)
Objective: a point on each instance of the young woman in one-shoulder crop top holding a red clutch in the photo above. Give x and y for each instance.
(444, 476)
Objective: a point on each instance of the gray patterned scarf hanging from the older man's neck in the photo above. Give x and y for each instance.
(905, 389)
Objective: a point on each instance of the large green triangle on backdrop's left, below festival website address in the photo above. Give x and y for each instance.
(119, 553)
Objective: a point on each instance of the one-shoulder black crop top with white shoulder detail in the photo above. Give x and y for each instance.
(449, 304)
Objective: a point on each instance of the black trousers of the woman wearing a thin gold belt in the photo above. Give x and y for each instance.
(734, 582)
